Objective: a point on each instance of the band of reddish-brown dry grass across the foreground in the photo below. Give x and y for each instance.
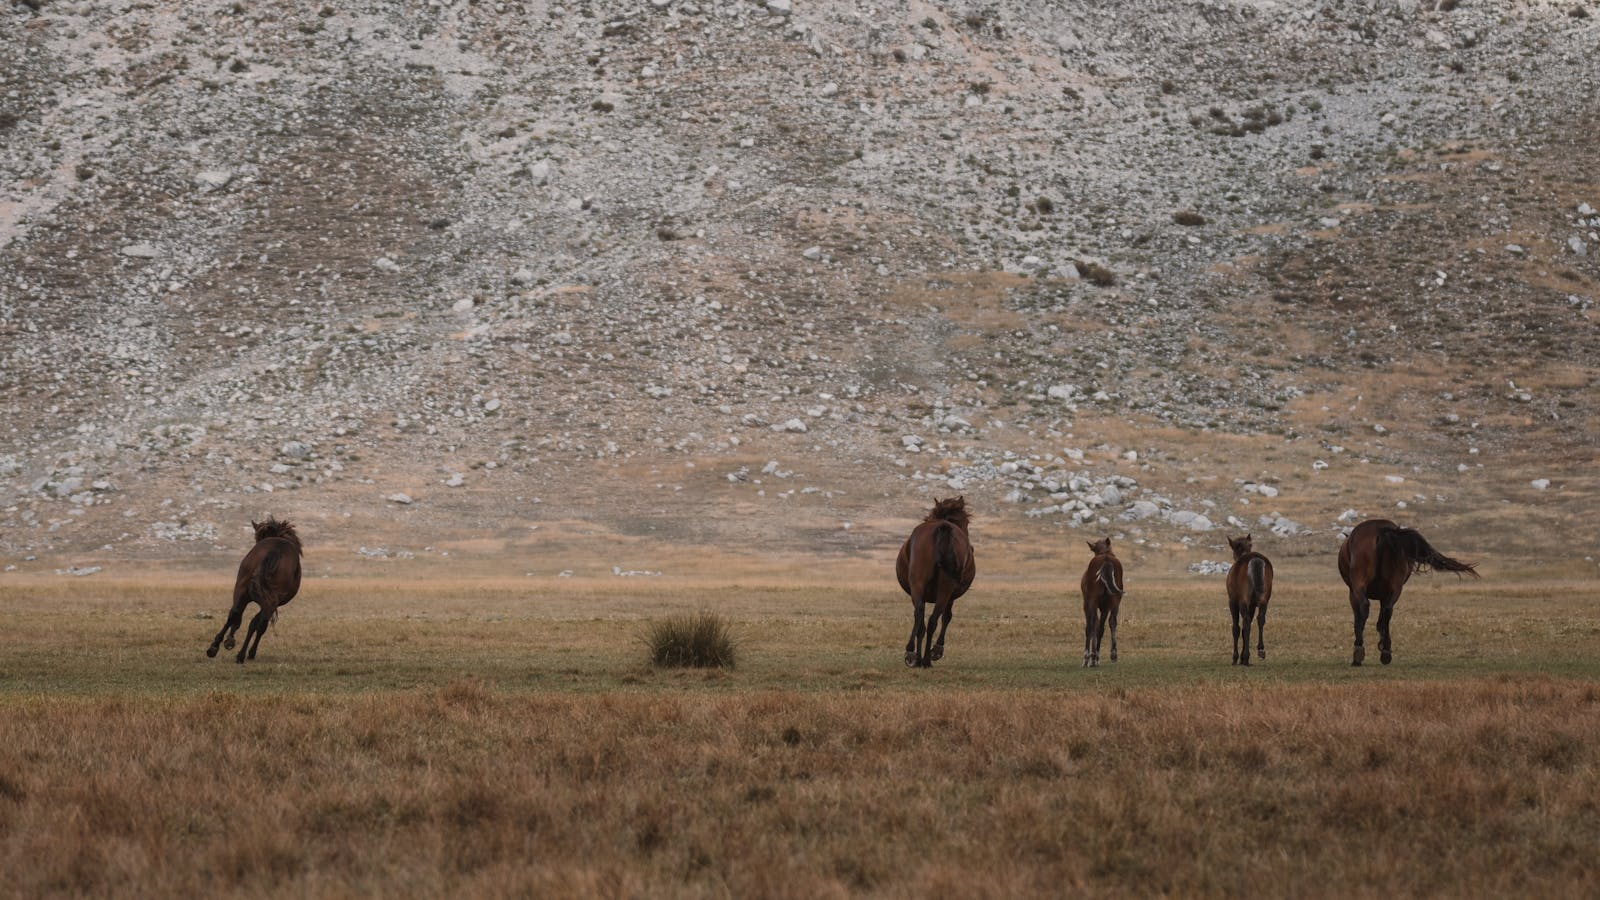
(1466, 789)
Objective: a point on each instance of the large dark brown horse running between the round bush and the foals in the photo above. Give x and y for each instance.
(935, 568)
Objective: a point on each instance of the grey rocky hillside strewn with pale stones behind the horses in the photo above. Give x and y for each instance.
(494, 276)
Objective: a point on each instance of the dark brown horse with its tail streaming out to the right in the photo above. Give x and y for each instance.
(1375, 561)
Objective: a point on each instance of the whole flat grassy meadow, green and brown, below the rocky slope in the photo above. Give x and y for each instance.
(503, 736)
